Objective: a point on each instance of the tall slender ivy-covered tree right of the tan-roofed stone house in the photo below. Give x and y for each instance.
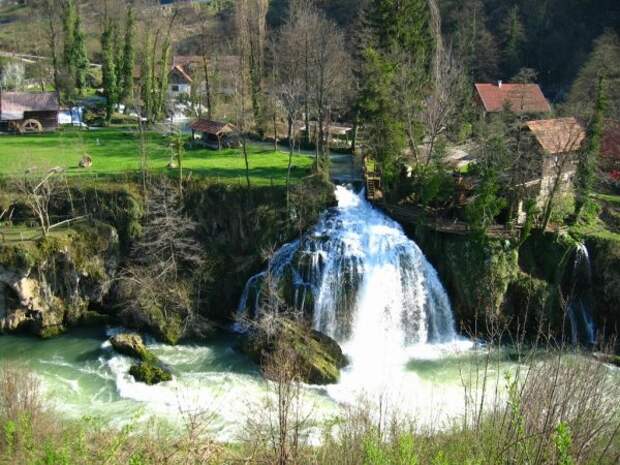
(588, 157)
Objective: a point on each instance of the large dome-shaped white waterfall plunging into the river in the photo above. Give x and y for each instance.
(360, 280)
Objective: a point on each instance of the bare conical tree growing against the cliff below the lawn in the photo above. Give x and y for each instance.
(156, 288)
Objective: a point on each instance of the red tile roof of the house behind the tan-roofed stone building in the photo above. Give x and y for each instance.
(518, 98)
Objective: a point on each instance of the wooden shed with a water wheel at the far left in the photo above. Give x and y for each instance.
(28, 112)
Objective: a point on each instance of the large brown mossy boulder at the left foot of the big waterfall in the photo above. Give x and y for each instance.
(318, 358)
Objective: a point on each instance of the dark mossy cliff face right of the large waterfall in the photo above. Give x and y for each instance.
(495, 285)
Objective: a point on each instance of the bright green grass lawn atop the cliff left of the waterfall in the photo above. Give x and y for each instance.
(116, 151)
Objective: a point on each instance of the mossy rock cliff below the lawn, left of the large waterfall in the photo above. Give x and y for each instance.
(53, 283)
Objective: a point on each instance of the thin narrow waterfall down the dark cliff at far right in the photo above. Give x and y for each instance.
(579, 315)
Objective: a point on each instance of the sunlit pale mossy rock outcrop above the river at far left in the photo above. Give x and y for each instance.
(50, 284)
